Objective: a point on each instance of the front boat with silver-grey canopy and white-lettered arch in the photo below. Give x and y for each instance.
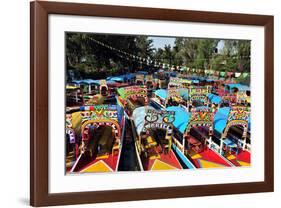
(161, 154)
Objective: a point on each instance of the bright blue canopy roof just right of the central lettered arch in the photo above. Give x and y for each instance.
(181, 117)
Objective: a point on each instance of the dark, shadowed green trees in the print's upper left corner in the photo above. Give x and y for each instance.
(93, 54)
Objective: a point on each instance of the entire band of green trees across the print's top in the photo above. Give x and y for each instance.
(85, 53)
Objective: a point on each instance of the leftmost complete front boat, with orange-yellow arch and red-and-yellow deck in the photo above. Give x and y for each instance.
(108, 158)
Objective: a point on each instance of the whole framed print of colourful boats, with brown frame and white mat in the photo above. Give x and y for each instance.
(131, 103)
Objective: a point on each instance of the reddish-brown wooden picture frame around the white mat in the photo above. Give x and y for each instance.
(39, 195)
